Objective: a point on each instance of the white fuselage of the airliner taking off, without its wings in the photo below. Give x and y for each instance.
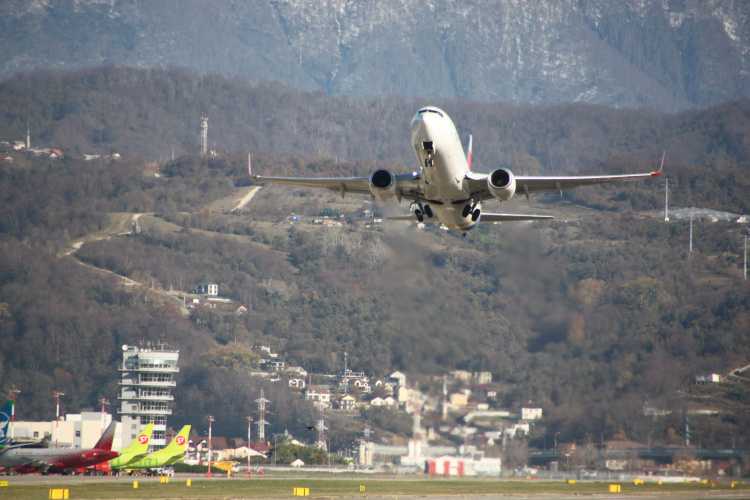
(443, 176)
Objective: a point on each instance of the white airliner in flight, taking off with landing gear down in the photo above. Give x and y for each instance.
(445, 189)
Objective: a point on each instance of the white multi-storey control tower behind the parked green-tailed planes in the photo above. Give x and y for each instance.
(148, 377)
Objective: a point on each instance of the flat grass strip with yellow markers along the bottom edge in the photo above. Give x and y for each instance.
(343, 488)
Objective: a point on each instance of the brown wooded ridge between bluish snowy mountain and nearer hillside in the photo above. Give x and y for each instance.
(152, 114)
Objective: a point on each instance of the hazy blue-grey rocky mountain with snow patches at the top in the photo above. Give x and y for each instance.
(666, 55)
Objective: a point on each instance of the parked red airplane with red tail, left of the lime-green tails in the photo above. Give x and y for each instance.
(27, 460)
